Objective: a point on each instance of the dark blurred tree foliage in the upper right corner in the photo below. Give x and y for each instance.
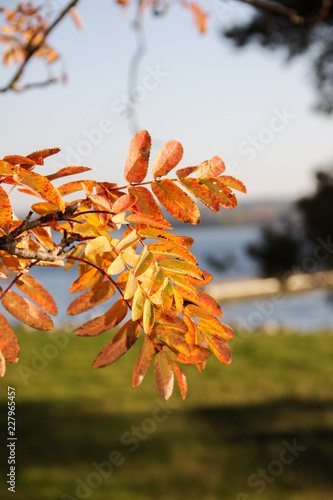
(313, 37)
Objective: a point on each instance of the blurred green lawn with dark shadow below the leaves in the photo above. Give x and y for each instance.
(233, 423)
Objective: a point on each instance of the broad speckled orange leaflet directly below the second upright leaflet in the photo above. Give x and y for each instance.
(175, 201)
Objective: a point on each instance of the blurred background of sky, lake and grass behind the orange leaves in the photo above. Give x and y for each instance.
(257, 90)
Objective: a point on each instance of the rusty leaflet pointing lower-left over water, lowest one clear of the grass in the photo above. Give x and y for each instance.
(93, 297)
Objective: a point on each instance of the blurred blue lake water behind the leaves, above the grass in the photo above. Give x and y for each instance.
(221, 250)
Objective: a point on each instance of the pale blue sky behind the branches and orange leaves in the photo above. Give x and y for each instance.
(247, 106)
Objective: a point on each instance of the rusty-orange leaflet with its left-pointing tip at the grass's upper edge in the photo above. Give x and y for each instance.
(104, 322)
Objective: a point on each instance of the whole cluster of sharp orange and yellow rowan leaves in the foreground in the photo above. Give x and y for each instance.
(152, 270)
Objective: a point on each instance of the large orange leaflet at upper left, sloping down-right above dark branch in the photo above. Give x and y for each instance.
(40, 186)
